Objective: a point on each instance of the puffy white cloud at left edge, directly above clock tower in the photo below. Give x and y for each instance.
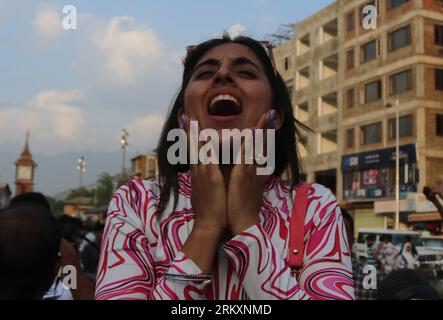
(52, 117)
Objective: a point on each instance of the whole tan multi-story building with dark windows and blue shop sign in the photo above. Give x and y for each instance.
(347, 83)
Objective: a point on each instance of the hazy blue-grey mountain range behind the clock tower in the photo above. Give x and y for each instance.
(56, 175)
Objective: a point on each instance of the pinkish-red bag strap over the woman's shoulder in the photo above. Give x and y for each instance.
(297, 228)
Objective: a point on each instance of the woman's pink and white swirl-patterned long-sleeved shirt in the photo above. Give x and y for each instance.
(140, 245)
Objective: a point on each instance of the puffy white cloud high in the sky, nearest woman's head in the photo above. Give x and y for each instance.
(129, 50)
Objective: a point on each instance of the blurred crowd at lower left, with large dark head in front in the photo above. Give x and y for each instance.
(44, 257)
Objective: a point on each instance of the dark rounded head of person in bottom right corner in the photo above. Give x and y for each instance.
(406, 284)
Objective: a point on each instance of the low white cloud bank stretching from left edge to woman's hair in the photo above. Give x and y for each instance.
(59, 122)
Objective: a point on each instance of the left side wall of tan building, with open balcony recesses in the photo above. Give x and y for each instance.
(309, 64)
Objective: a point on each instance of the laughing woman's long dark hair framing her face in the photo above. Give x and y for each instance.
(287, 159)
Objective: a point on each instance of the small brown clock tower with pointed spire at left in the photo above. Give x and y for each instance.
(24, 170)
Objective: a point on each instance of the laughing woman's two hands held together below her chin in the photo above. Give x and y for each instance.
(234, 208)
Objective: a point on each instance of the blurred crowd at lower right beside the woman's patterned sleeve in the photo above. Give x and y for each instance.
(396, 275)
